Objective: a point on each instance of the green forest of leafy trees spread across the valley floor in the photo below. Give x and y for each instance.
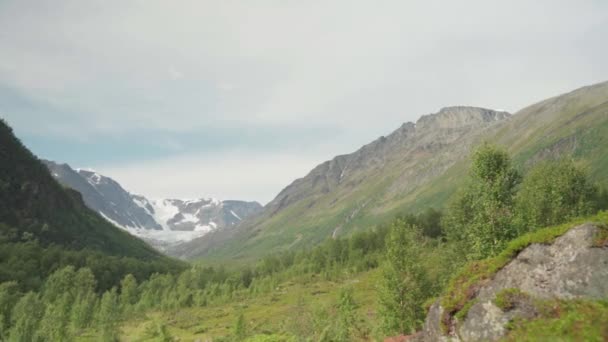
(50, 293)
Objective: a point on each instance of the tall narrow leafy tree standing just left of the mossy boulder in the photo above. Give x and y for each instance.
(404, 286)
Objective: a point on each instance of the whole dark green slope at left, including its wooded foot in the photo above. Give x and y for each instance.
(44, 226)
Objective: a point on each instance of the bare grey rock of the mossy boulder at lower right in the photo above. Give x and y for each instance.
(569, 268)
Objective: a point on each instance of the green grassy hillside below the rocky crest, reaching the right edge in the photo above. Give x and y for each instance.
(570, 125)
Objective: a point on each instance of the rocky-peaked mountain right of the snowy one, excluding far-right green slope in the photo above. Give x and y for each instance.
(351, 191)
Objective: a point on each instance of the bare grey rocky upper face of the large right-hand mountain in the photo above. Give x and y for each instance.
(432, 133)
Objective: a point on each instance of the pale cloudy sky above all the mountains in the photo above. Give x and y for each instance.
(236, 99)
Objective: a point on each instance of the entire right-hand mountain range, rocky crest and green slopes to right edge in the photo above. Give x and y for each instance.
(419, 165)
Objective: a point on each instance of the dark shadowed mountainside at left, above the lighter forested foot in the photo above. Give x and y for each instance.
(34, 206)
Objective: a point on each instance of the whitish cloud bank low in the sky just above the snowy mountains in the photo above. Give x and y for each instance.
(235, 175)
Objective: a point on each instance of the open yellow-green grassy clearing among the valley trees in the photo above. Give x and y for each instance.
(289, 308)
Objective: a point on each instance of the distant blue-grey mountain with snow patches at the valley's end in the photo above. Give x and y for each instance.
(160, 222)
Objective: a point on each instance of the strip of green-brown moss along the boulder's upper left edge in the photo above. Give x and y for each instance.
(464, 286)
